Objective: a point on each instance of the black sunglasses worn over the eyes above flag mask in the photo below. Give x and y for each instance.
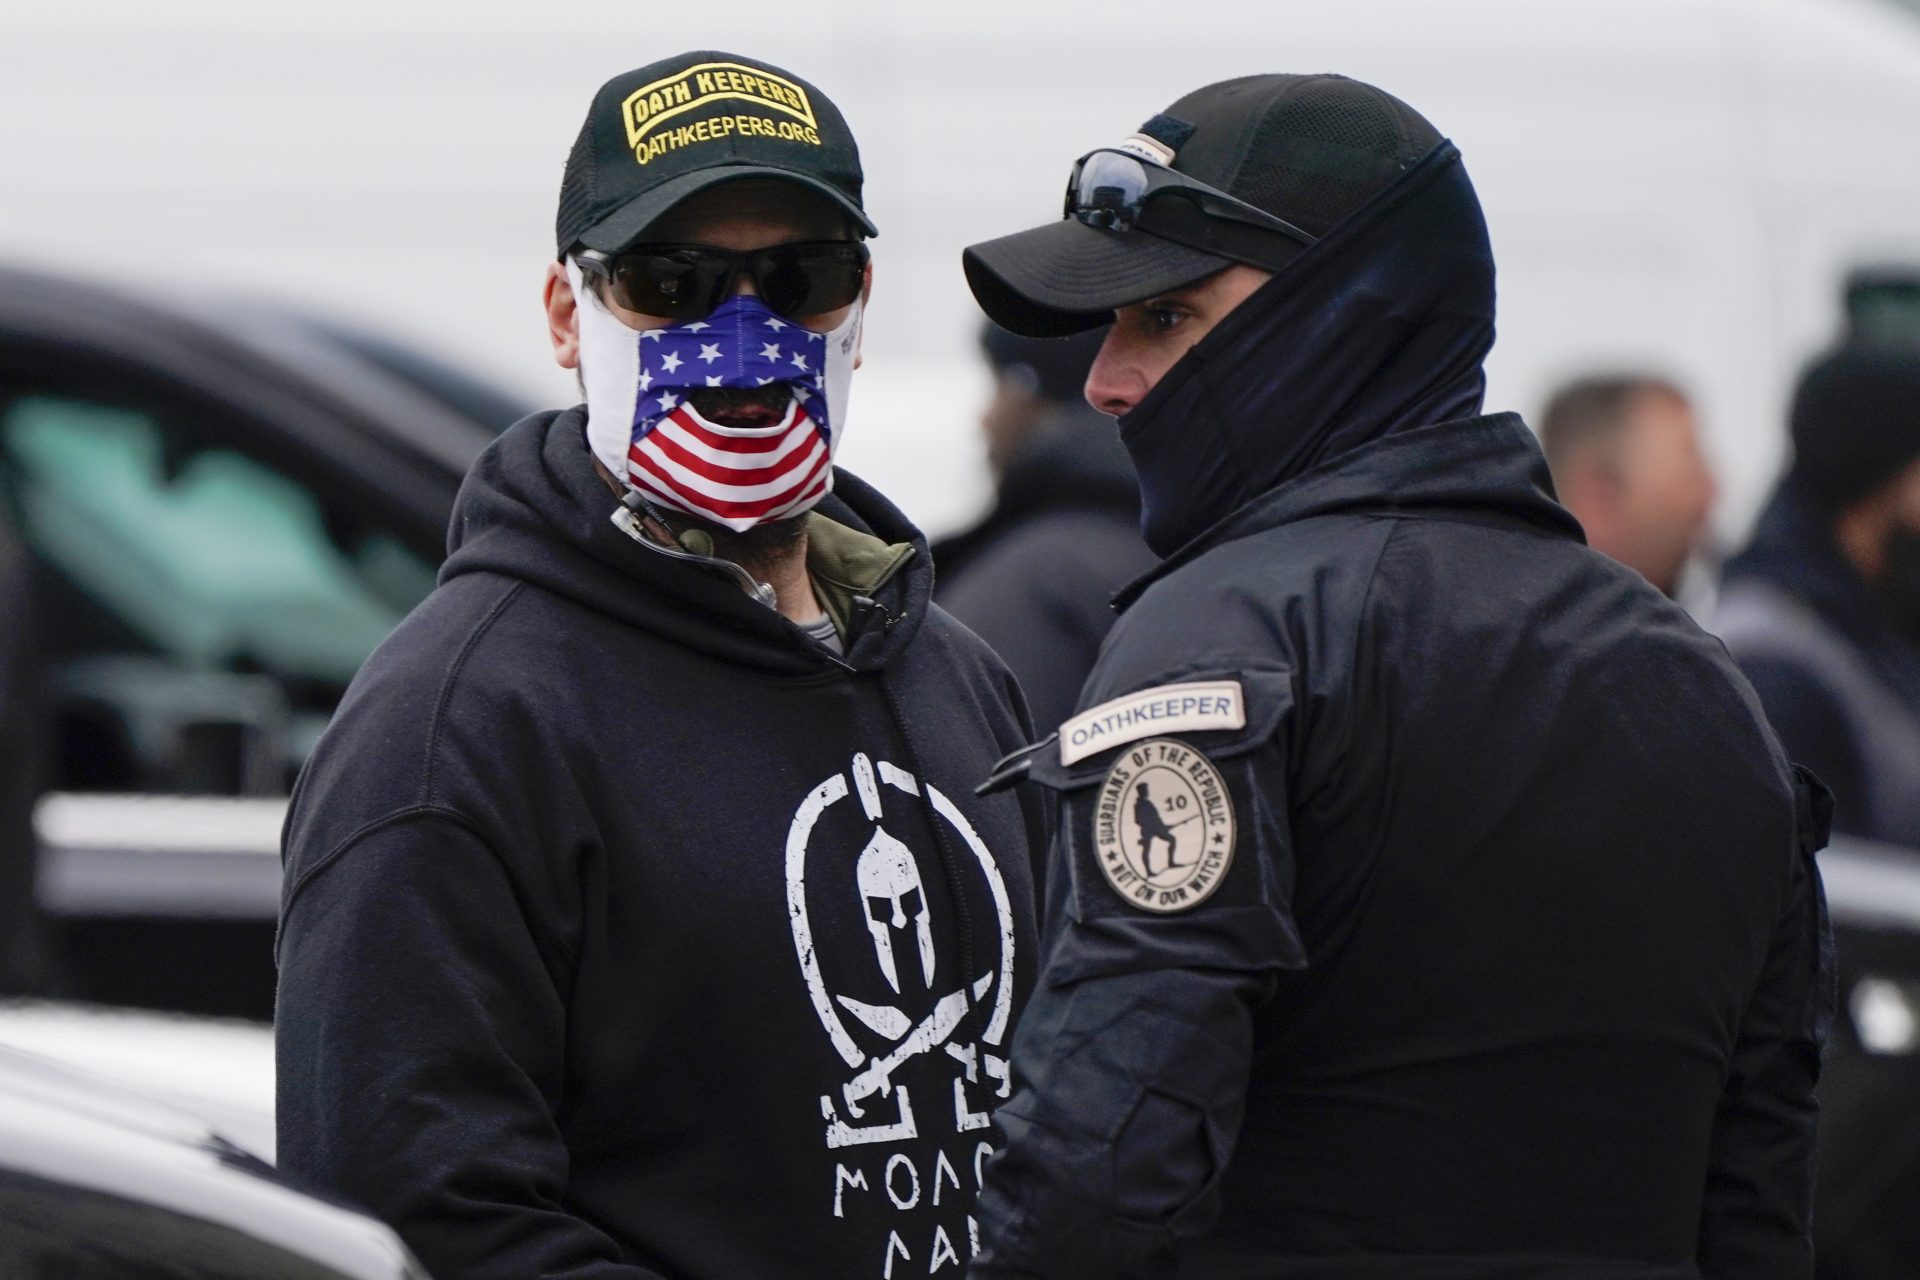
(688, 281)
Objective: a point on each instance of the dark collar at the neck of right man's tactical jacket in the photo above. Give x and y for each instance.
(1481, 469)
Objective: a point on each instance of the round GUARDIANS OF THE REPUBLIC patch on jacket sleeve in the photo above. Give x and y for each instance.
(1163, 826)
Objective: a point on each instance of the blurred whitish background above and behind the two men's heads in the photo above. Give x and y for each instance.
(1669, 183)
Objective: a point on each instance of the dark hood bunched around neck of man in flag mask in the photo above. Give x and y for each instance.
(537, 510)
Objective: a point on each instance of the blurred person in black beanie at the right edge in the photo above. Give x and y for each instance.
(1823, 607)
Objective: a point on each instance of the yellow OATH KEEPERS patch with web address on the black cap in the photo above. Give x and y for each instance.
(779, 108)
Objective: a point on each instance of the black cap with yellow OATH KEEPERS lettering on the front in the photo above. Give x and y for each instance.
(677, 128)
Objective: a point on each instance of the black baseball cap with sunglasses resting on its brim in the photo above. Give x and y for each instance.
(1307, 149)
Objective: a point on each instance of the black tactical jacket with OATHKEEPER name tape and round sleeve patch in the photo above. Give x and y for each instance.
(1443, 907)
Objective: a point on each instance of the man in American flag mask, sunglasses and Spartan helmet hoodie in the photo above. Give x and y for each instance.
(640, 918)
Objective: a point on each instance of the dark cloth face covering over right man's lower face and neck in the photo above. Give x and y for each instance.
(1378, 329)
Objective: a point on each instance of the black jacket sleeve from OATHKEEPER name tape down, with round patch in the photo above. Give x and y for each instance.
(1168, 924)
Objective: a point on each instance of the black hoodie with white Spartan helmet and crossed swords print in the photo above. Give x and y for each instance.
(631, 934)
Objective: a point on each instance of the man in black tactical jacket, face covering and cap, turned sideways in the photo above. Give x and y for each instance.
(1431, 899)
